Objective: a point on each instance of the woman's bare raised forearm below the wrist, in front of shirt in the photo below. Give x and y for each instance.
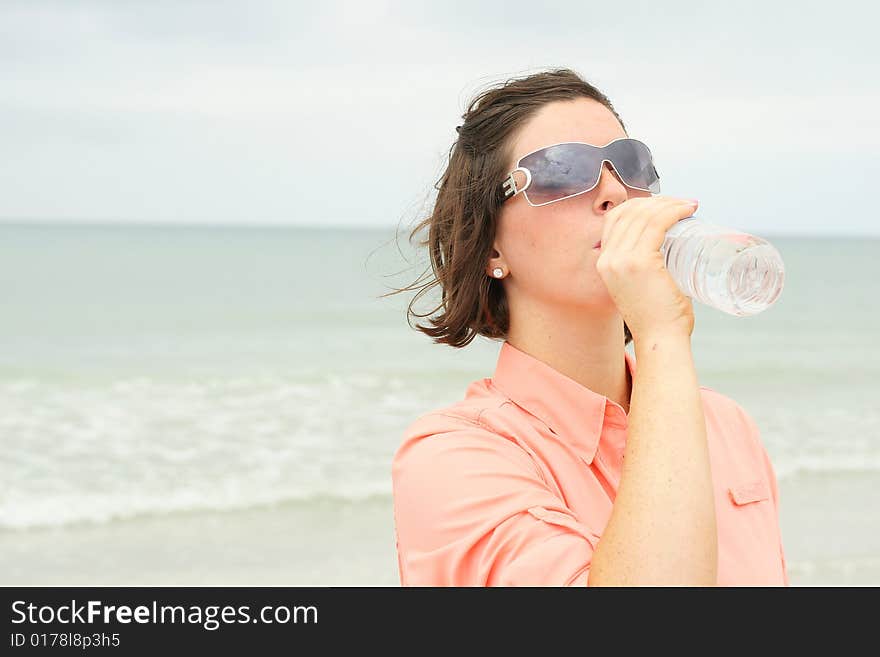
(662, 527)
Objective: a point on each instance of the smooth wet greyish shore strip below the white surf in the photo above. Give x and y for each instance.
(333, 543)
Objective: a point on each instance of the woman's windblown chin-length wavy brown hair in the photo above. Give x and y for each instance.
(461, 225)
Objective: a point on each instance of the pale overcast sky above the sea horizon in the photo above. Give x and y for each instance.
(342, 113)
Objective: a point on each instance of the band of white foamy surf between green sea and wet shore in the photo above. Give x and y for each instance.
(92, 453)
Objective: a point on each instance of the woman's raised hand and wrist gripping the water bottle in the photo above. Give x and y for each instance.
(633, 268)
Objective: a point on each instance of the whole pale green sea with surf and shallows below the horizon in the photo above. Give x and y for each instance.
(220, 405)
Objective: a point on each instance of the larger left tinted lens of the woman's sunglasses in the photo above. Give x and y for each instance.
(561, 170)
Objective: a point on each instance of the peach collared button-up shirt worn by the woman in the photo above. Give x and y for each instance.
(514, 484)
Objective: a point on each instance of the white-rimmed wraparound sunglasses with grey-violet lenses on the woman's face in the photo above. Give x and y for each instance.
(557, 172)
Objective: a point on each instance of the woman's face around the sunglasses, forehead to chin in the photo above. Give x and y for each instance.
(547, 253)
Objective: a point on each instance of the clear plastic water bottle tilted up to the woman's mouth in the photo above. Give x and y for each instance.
(731, 271)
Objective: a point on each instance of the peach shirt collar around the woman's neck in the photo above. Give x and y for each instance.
(571, 410)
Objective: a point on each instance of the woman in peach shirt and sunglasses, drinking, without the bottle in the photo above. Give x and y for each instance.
(575, 463)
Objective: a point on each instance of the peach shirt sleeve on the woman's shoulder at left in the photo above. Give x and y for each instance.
(471, 508)
